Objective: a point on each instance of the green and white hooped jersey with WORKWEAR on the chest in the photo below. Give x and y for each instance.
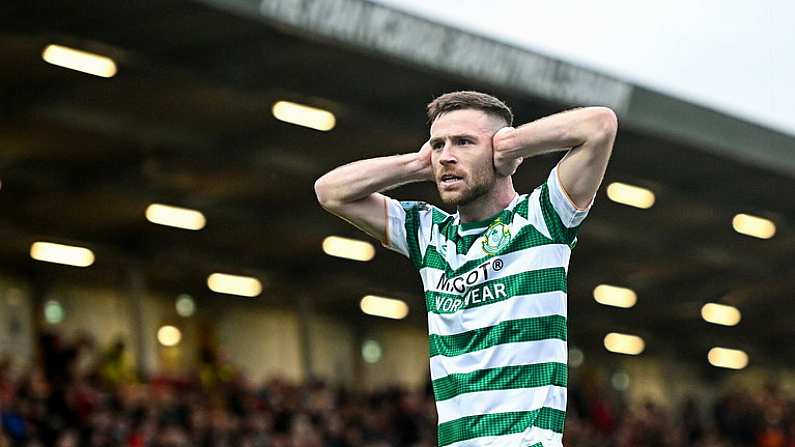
(495, 292)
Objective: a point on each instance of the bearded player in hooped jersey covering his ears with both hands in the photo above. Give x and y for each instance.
(494, 272)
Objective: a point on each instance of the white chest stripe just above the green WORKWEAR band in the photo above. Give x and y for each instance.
(533, 258)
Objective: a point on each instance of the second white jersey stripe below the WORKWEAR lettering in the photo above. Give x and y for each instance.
(506, 354)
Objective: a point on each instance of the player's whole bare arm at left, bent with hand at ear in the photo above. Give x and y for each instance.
(353, 191)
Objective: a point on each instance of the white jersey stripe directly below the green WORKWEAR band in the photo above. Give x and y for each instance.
(518, 307)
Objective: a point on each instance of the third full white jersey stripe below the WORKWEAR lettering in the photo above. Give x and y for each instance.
(501, 401)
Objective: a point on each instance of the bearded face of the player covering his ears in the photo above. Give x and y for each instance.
(462, 155)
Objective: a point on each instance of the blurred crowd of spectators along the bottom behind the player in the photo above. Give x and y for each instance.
(78, 395)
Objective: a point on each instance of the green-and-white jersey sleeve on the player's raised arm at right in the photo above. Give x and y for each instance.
(561, 216)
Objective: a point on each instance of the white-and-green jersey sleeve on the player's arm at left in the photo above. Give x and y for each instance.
(407, 225)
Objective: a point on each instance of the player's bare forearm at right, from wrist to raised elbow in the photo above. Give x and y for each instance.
(561, 131)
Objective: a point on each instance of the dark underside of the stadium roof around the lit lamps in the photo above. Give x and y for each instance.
(187, 121)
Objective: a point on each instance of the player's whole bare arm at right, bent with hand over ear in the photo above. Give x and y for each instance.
(588, 133)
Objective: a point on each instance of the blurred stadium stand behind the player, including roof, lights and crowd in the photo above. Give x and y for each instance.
(168, 279)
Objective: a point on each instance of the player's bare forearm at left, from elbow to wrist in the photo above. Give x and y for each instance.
(357, 180)
